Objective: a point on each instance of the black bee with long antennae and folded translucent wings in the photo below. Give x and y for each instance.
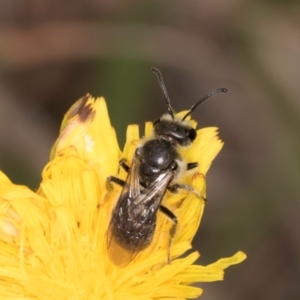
(155, 168)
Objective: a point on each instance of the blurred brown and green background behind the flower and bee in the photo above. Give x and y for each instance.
(54, 52)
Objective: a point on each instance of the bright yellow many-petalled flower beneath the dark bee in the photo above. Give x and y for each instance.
(53, 241)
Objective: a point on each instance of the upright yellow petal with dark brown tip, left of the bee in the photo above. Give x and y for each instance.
(86, 128)
